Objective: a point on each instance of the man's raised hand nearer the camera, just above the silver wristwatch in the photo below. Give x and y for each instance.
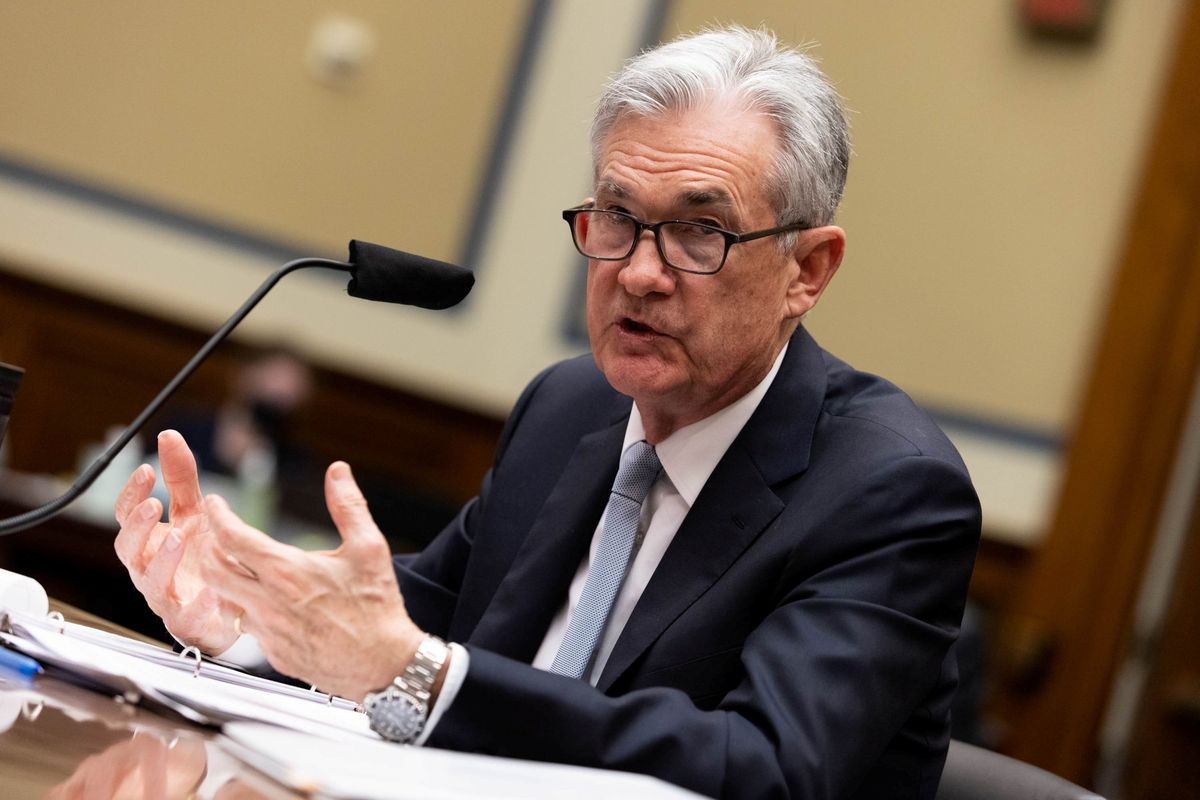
(335, 618)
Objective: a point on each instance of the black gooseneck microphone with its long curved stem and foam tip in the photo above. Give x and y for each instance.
(377, 273)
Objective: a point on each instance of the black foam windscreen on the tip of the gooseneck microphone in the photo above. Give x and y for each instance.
(393, 276)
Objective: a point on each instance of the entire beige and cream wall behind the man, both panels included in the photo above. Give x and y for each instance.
(986, 204)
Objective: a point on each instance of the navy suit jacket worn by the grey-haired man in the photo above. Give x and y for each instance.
(796, 640)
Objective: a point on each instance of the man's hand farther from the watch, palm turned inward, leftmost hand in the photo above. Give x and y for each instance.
(165, 560)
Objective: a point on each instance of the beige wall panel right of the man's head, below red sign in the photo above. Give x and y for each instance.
(987, 195)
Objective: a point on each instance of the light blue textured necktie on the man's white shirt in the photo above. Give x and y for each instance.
(639, 468)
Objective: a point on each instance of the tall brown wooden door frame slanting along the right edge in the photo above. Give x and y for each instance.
(1075, 616)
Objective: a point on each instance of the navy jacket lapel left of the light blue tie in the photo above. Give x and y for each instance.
(536, 586)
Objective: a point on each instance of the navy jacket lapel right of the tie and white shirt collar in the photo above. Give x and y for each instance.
(736, 504)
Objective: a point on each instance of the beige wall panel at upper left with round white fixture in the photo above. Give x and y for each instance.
(209, 109)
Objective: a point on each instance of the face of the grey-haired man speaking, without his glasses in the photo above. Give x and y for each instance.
(686, 346)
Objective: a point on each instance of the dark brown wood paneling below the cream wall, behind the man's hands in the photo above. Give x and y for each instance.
(92, 365)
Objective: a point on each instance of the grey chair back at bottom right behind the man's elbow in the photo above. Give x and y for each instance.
(976, 774)
